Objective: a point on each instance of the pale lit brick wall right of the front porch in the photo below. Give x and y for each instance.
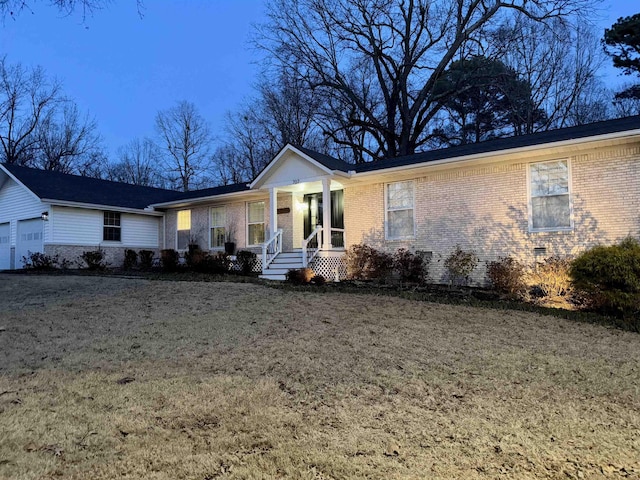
(485, 209)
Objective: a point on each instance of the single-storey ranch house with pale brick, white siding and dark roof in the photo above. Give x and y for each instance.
(550, 193)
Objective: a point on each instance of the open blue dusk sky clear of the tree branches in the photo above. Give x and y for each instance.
(123, 68)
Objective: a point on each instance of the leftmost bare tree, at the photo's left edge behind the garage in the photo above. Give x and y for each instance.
(27, 98)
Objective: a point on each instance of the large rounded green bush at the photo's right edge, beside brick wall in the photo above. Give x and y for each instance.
(609, 278)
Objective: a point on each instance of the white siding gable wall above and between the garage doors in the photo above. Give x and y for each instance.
(17, 203)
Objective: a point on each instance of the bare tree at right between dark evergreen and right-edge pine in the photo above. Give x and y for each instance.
(560, 62)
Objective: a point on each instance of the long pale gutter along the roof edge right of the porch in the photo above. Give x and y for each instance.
(496, 153)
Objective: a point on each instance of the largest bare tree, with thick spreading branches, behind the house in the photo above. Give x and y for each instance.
(382, 58)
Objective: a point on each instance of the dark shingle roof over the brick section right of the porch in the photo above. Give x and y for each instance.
(541, 138)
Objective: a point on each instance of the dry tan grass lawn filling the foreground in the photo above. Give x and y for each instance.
(241, 381)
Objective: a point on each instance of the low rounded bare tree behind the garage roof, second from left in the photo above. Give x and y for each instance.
(66, 140)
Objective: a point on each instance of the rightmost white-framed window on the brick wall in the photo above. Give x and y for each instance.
(550, 206)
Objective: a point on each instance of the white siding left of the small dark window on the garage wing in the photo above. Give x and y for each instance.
(76, 226)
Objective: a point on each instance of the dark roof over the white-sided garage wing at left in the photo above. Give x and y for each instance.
(76, 189)
